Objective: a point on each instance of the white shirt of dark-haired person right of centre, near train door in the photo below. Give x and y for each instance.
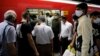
(66, 30)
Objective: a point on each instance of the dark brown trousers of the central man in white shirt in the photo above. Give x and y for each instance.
(45, 50)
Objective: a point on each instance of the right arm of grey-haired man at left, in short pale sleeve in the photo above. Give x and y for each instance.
(11, 39)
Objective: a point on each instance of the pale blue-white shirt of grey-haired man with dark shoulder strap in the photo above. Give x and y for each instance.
(10, 33)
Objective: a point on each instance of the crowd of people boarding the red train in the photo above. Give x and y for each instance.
(51, 34)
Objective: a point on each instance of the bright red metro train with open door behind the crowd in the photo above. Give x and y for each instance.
(21, 5)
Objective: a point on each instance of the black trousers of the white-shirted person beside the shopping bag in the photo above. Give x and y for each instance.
(64, 44)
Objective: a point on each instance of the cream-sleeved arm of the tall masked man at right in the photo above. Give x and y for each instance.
(86, 36)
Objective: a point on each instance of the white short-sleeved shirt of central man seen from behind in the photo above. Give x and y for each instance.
(43, 34)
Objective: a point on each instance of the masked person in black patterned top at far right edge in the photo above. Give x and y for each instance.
(96, 32)
